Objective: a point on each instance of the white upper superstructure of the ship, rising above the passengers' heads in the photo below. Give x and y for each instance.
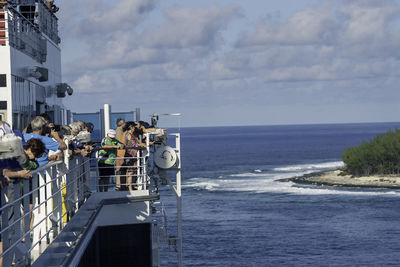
(30, 66)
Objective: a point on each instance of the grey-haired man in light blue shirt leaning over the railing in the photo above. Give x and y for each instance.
(39, 127)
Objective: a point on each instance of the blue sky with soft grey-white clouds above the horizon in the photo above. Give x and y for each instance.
(226, 62)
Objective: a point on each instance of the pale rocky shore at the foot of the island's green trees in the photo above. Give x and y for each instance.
(332, 178)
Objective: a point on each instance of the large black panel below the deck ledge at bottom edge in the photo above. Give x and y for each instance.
(121, 245)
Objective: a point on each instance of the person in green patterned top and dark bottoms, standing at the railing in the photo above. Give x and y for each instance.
(106, 159)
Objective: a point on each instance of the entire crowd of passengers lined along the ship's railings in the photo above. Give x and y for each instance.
(42, 142)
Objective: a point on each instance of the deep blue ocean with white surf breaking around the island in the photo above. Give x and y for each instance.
(236, 212)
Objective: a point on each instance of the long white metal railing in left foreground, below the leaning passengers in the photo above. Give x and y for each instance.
(34, 211)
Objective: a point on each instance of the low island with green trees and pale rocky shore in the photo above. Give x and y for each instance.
(374, 164)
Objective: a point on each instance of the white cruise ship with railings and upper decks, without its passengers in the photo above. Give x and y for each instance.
(58, 217)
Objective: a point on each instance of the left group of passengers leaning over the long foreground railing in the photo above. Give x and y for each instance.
(42, 142)
